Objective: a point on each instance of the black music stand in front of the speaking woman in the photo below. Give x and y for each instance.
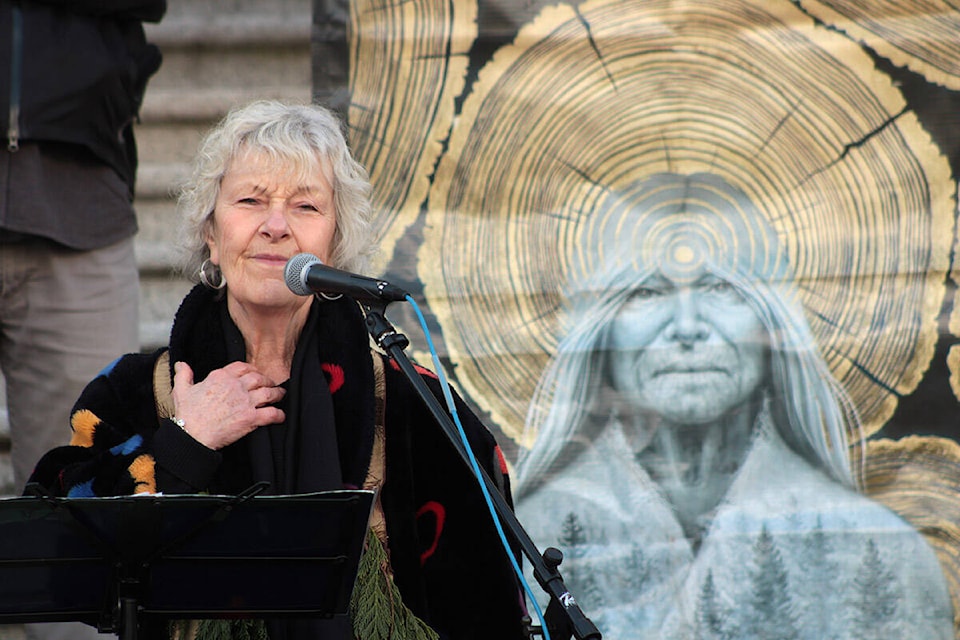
(110, 562)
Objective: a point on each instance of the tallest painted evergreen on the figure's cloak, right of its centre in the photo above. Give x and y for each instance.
(770, 613)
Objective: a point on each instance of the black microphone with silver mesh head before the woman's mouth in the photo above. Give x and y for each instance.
(306, 274)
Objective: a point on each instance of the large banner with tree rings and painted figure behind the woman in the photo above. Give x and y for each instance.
(694, 263)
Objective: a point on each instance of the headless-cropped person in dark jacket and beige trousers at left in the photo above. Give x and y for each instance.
(72, 78)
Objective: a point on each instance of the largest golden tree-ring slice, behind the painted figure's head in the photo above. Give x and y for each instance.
(539, 182)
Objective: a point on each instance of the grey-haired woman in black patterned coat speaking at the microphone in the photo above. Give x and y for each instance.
(271, 386)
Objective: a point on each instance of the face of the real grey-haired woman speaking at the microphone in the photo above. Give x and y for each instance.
(265, 215)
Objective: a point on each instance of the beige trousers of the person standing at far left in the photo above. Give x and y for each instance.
(64, 315)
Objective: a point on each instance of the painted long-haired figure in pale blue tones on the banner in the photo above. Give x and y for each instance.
(692, 457)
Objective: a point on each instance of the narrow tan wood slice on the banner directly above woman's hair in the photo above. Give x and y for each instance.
(407, 65)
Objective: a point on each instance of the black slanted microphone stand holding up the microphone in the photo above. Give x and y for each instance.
(563, 616)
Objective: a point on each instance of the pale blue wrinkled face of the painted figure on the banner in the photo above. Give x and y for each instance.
(689, 352)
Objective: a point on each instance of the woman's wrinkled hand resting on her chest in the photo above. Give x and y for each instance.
(227, 405)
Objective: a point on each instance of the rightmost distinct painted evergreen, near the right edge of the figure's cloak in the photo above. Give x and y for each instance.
(873, 598)
